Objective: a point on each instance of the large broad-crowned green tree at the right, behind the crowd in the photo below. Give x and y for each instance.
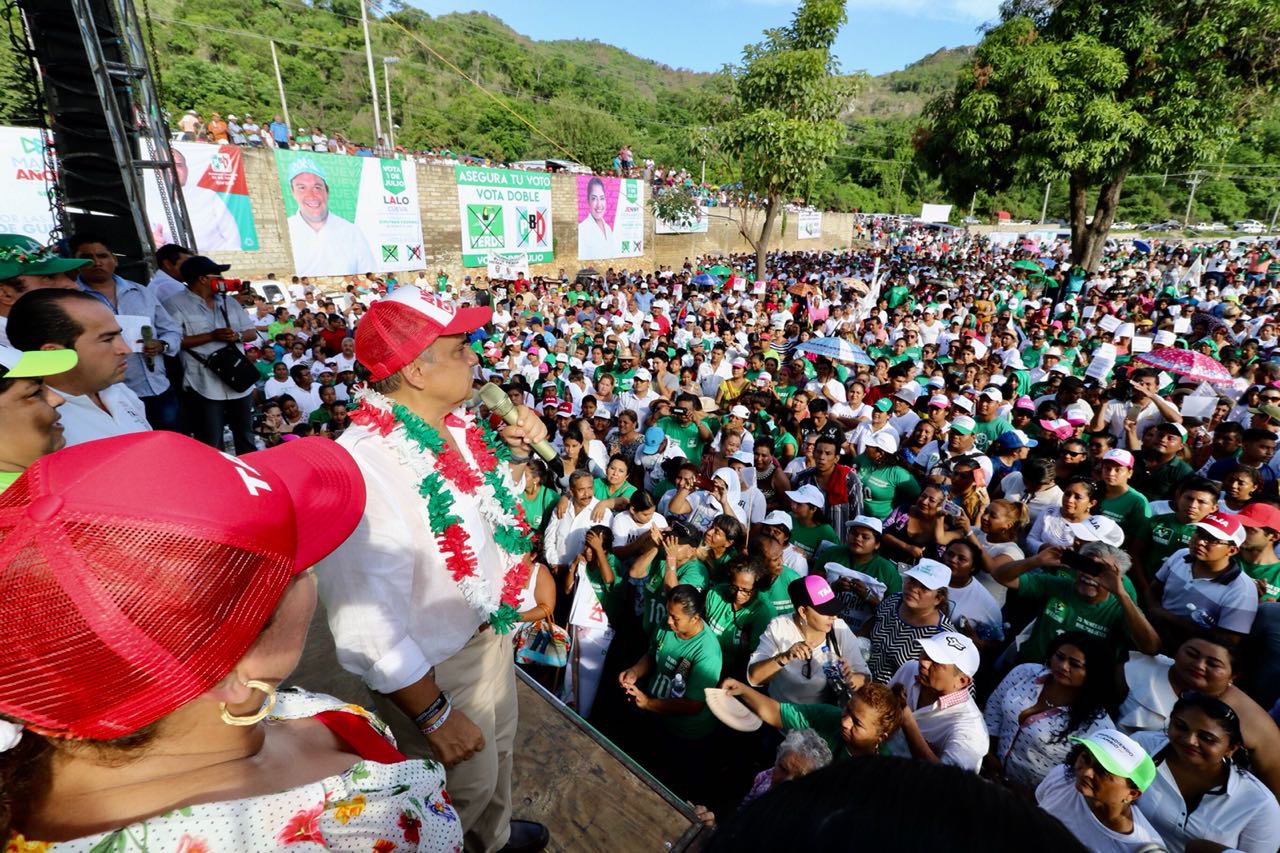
(1090, 93)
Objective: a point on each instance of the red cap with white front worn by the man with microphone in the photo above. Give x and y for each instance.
(395, 331)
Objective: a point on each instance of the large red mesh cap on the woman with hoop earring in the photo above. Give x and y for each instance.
(138, 571)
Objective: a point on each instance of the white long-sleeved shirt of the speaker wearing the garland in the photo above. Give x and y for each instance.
(394, 608)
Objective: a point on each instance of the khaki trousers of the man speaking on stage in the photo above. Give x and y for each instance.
(481, 681)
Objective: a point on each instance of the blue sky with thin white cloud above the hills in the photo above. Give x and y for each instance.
(881, 35)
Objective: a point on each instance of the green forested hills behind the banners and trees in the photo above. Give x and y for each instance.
(586, 98)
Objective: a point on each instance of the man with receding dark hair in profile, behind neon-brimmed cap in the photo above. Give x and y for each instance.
(99, 404)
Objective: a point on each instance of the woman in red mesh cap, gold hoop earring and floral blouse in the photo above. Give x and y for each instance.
(148, 632)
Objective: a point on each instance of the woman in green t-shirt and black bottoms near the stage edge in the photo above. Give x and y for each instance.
(683, 662)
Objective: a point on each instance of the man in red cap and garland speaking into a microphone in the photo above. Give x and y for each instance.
(423, 595)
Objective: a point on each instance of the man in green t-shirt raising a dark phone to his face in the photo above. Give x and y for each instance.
(1103, 605)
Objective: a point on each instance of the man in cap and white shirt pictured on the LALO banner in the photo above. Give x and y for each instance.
(323, 243)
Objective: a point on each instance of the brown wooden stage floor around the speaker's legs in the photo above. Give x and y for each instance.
(566, 774)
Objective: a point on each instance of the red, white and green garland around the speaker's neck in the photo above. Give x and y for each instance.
(442, 471)
